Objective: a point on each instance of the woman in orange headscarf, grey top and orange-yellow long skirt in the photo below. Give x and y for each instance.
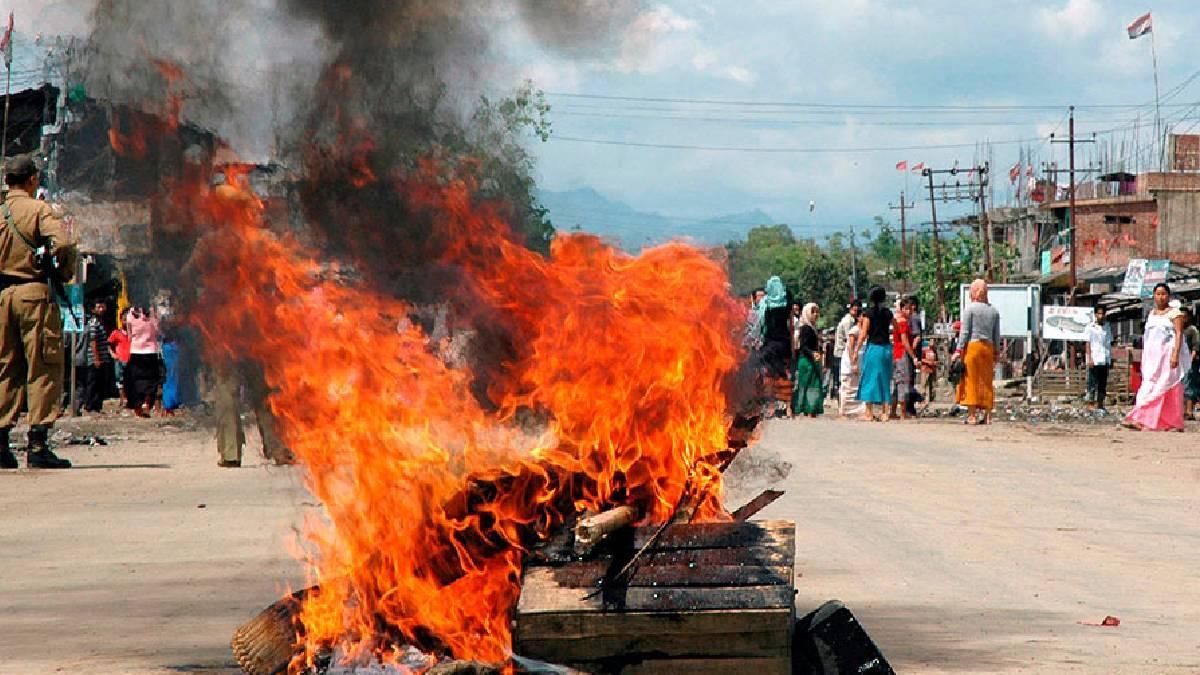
(977, 349)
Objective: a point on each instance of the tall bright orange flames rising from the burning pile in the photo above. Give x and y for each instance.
(430, 501)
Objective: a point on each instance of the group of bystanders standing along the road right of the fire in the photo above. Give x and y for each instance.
(879, 363)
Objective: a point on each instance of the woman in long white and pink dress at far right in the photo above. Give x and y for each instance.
(1165, 362)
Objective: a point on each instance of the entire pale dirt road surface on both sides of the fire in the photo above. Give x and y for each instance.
(962, 551)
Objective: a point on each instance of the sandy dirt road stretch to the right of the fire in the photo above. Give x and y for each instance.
(987, 549)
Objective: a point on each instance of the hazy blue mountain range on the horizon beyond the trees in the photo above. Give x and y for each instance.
(585, 210)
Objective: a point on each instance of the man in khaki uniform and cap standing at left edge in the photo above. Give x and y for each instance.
(32, 354)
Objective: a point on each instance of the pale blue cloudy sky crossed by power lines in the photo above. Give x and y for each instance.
(838, 92)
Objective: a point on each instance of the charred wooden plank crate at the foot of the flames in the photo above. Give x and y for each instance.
(705, 599)
